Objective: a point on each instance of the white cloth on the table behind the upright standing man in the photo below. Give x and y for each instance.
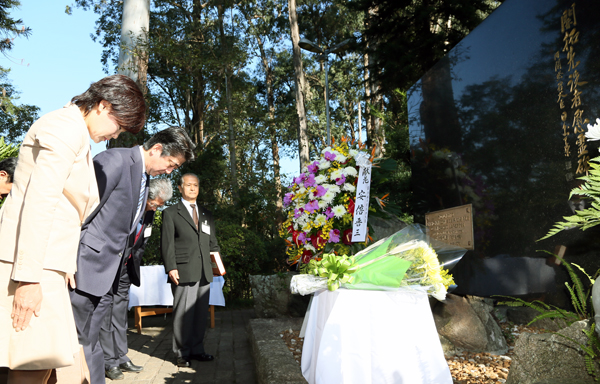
(155, 290)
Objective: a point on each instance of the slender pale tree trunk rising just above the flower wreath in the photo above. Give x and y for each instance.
(300, 86)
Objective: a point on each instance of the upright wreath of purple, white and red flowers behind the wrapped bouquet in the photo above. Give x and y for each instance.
(320, 206)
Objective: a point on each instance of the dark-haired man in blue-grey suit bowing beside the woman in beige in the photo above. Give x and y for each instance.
(122, 176)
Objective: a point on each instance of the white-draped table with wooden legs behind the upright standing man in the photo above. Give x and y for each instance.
(154, 289)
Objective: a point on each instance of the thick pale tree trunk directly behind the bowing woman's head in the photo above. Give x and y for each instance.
(133, 57)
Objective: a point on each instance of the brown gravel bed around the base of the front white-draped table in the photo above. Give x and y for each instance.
(465, 367)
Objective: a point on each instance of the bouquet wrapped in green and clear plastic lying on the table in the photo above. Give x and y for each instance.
(409, 259)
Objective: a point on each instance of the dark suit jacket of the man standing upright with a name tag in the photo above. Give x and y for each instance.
(185, 248)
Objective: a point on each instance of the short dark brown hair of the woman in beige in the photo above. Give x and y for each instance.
(126, 101)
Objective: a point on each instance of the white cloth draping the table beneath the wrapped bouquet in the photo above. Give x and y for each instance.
(372, 337)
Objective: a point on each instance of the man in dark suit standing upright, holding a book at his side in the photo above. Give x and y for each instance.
(187, 239)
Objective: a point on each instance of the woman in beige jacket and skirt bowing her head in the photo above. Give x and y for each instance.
(54, 190)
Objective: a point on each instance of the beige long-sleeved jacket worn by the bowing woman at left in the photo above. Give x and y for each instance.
(54, 190)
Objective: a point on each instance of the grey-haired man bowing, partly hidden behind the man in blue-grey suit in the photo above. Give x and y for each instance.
(113, 334)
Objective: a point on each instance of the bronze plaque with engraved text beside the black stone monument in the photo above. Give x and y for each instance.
(452, 226)
